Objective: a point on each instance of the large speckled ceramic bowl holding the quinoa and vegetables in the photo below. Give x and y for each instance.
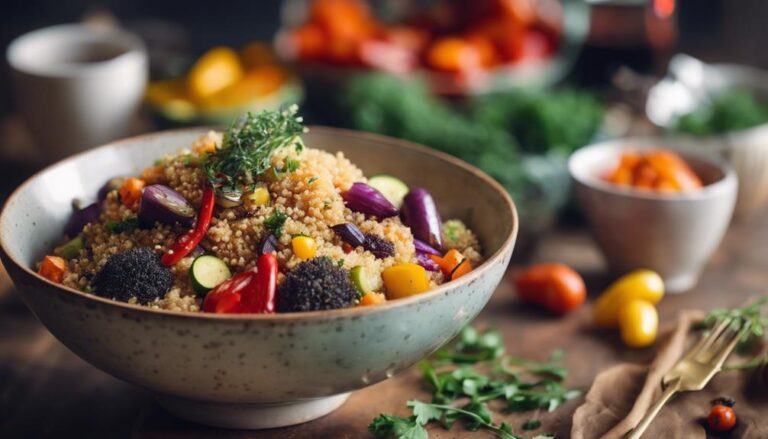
(255, 371)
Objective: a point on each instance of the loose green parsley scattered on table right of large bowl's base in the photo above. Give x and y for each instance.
(469, 374)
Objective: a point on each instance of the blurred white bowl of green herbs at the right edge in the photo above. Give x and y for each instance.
(746, 150)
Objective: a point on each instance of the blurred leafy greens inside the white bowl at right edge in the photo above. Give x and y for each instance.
(733, 110)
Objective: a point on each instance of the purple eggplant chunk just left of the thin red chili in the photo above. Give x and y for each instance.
(164, 205)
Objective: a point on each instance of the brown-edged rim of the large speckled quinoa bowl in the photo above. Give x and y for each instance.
(300, 316)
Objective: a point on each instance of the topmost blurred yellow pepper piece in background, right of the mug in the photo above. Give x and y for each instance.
(216, 70)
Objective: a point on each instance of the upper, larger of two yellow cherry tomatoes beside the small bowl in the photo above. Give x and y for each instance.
(644, 285)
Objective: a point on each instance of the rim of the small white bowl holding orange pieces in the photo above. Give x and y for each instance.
(725, 184)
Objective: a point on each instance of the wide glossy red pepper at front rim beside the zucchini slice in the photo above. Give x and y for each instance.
(251, 291)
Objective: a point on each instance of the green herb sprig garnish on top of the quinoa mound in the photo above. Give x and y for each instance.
(248, 147)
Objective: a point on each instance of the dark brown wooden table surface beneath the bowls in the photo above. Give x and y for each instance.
(46, 391)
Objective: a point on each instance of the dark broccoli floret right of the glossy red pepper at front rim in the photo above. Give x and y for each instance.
(315, 285)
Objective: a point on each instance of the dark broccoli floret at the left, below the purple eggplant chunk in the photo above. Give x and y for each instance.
(133, 273)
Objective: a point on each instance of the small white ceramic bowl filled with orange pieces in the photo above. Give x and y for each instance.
(672, 234)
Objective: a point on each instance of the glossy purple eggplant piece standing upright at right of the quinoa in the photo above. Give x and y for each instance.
(420, 214)
